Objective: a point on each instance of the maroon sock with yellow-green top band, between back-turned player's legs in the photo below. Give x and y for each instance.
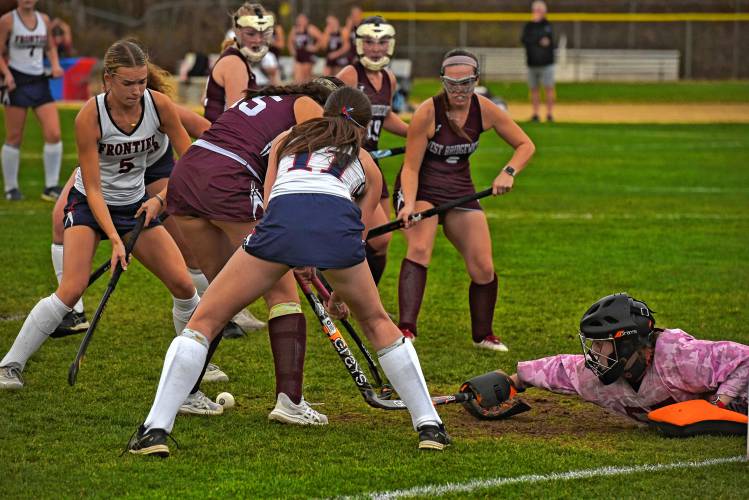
(288, 341)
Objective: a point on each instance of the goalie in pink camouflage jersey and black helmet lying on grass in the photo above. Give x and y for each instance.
(633, 368)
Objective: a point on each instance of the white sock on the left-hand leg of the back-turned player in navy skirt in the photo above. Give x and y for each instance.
(182, 366)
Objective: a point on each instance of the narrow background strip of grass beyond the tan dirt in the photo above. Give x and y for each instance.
(676, 92)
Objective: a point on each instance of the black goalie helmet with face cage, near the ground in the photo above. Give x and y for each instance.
(612, 332)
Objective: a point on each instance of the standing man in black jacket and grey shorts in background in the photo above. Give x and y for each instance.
(538, 39)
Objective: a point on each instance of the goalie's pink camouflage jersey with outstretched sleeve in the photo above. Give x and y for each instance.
(683, 368)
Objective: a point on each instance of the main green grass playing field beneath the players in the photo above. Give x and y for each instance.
(659, 211)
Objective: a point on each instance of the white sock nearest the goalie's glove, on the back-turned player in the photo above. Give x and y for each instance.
(401, 365)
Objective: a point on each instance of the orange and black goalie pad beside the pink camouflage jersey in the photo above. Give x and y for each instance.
(697, 417)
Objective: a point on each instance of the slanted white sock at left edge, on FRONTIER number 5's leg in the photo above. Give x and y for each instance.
(40, 323)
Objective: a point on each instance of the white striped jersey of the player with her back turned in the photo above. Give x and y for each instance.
(317, 173)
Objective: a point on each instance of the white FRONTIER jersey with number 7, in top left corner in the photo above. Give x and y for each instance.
(26, 46)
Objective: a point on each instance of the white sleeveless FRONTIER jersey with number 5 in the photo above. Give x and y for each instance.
(123, 157)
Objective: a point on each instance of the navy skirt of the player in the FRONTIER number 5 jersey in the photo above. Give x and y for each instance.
(78, 213)
